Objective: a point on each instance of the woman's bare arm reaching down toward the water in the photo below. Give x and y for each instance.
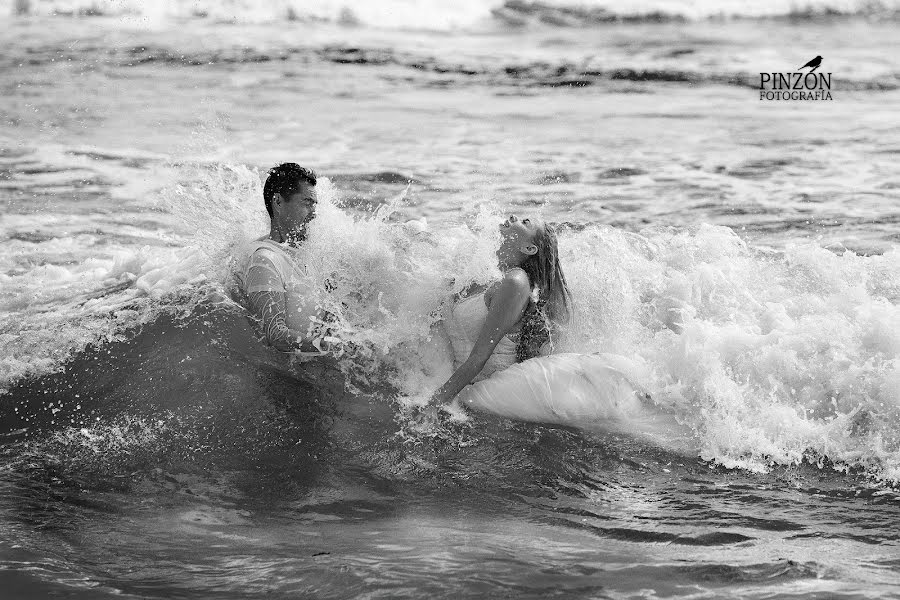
(507, 306)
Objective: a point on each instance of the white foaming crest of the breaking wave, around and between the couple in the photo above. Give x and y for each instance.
(771, 358)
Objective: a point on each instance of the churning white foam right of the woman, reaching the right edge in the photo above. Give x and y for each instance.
(770, 354)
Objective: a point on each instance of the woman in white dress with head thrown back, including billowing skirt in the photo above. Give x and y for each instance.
(500, 335)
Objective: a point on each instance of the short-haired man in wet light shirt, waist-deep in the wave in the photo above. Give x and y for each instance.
(276, 285)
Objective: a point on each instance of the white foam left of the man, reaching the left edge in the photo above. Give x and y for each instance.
(69, 291)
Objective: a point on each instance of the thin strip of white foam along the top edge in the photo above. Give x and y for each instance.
(433, 14)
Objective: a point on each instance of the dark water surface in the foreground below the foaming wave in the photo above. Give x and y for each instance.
(196, 471)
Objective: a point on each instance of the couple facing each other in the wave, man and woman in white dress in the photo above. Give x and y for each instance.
(501, 334)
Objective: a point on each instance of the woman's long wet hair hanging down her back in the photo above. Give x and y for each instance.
(550, 305)
